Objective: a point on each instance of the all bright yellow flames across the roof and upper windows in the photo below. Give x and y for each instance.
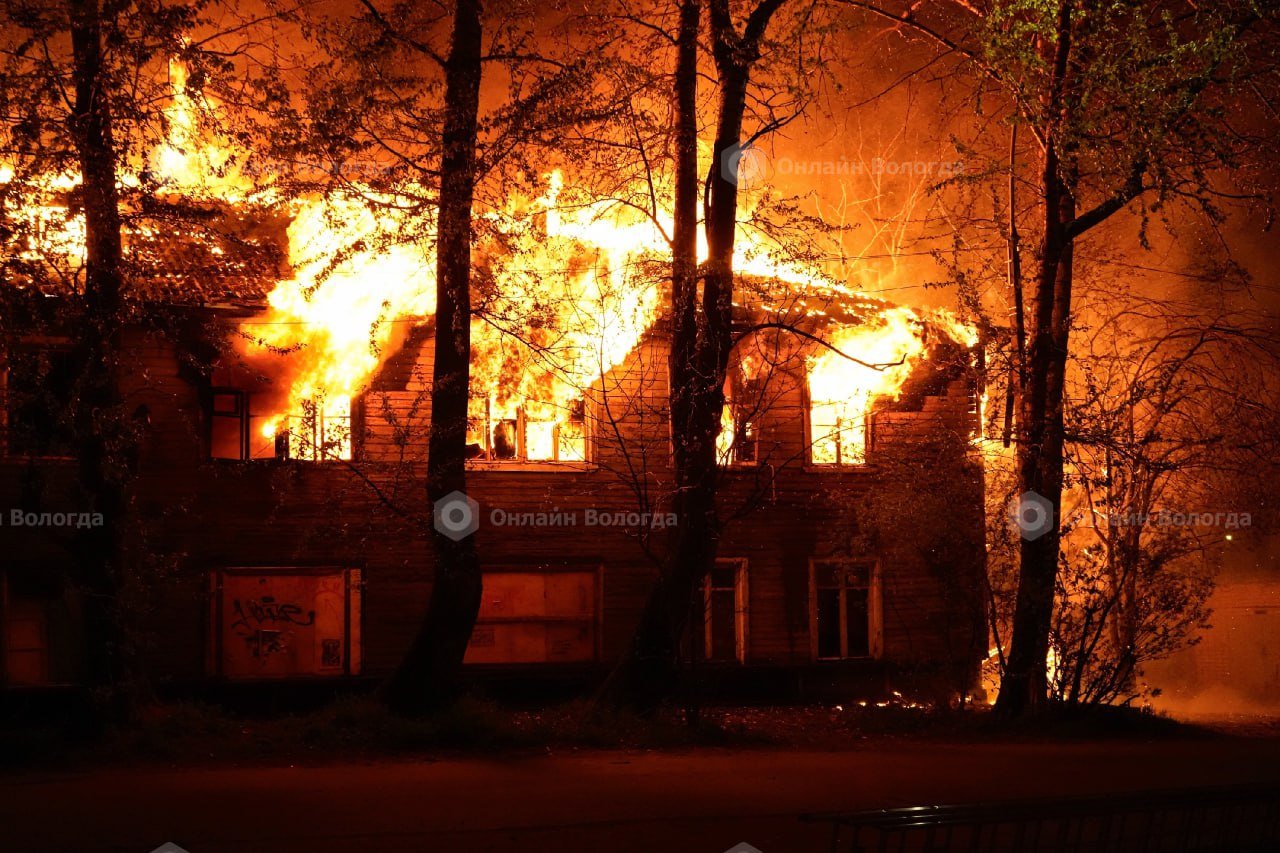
(568, 302)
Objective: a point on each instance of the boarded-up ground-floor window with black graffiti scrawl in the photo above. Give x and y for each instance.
(286, 623)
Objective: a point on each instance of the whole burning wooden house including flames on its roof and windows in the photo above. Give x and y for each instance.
(281, 371)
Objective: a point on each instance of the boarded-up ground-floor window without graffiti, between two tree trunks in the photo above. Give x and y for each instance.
(537, 617)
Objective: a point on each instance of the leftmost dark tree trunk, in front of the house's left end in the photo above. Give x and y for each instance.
(106, 455)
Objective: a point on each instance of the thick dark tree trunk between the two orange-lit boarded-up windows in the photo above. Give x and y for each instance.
(429, 676)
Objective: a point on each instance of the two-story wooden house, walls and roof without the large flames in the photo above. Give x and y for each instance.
(267, 559)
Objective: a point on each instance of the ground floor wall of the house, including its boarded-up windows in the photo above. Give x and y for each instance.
(290, 572)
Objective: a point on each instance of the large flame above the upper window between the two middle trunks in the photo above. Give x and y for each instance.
(572, 302)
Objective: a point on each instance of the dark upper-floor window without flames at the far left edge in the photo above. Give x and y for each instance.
(39, 387)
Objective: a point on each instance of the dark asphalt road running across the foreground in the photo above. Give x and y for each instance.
(696, 802)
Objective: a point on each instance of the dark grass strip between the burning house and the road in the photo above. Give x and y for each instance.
(359, 728)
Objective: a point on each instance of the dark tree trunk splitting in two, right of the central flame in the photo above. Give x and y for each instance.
(700, 359)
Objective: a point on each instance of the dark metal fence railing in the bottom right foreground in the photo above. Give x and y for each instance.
(1241, 819)
